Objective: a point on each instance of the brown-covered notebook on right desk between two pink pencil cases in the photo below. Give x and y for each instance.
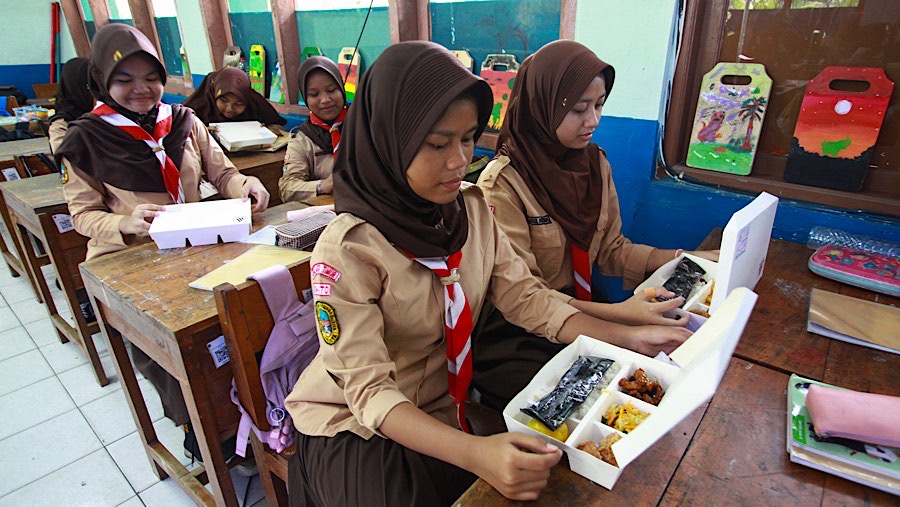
(854, 320)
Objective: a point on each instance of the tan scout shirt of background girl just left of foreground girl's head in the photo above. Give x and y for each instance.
(304, 165)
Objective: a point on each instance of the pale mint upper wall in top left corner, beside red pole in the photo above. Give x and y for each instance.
(26, 37)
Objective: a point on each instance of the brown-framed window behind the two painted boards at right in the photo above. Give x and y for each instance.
(795, 40)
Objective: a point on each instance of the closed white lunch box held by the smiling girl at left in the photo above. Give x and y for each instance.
(202, 223)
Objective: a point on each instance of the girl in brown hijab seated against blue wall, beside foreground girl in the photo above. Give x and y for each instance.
(552, 193)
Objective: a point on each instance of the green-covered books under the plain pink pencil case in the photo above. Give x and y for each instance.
(877, 466)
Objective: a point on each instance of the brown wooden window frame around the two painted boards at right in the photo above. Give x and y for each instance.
(704, 21)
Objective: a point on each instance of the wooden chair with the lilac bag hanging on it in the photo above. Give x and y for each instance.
(246, 324)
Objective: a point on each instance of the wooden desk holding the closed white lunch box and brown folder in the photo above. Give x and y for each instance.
(142, 294)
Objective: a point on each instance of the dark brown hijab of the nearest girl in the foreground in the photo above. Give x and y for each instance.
(402, 95)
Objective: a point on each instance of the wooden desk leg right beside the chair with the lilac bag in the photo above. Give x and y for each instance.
(203, 420)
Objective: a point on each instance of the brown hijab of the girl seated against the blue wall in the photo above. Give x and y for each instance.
(567, 183)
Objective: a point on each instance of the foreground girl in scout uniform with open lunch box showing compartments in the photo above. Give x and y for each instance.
(399, 278)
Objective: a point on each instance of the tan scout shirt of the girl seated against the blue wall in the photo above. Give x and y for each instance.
(541, 241)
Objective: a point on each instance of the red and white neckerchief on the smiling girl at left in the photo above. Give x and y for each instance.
(155, 142)
